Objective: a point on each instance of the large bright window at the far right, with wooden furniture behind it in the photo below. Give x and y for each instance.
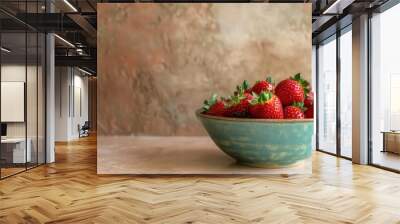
(385, 86)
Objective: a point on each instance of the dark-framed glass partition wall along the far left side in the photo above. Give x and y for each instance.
(22, 98)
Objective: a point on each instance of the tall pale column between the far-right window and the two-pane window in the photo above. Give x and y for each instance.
(360, 90)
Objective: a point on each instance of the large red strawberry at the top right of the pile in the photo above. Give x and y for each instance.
(292, 90)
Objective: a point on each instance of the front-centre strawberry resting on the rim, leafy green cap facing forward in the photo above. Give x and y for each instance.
(266, 105)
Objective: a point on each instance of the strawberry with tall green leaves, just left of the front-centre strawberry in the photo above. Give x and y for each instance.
(238, 105)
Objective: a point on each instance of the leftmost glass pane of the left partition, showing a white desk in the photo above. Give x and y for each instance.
(13, 93)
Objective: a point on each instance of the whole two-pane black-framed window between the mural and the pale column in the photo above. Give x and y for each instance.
(334, 93)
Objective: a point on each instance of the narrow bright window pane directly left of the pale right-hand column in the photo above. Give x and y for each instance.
(346, 93)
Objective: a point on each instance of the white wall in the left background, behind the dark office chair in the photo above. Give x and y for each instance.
(71, 94)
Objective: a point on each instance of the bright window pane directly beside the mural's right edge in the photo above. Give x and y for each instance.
(327, 96)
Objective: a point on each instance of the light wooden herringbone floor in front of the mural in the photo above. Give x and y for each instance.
(69, 191)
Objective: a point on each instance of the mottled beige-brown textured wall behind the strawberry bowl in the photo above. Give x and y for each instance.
(158, 62)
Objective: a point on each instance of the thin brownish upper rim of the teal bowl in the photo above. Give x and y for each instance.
(211, 117)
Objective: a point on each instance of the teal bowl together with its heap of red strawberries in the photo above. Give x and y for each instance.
(263, 126)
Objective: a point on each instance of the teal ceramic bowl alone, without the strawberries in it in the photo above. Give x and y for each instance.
(270, 143)
